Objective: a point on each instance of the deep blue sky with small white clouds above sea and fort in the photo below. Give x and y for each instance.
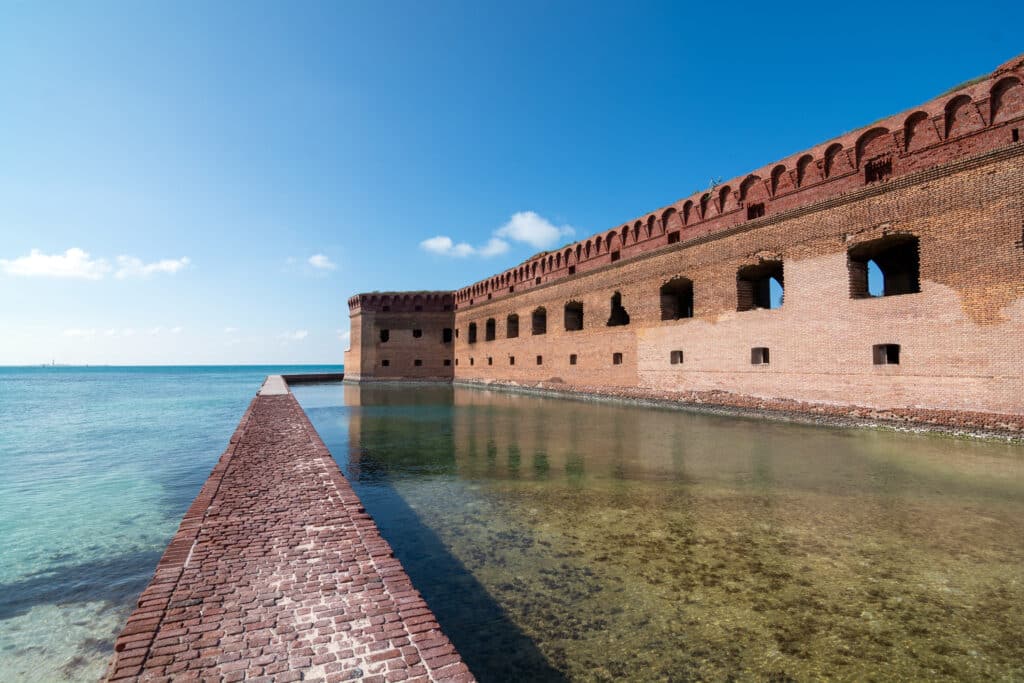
(227, 175)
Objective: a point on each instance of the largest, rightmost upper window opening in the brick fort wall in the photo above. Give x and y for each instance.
(889, 267)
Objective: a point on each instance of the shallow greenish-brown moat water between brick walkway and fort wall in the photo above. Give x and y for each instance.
(561, 540)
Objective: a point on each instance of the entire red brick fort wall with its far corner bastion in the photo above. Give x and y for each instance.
(679, 302)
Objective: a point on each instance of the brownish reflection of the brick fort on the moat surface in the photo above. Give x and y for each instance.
(506, 436)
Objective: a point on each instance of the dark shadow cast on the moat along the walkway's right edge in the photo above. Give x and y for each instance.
(490, 643)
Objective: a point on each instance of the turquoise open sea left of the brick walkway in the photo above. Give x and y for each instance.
(98, 466)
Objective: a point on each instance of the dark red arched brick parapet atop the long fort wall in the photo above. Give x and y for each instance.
(976, 117)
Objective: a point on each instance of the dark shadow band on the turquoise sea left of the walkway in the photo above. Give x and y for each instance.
(113, 580)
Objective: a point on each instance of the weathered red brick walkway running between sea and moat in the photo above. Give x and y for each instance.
(278, 574)
